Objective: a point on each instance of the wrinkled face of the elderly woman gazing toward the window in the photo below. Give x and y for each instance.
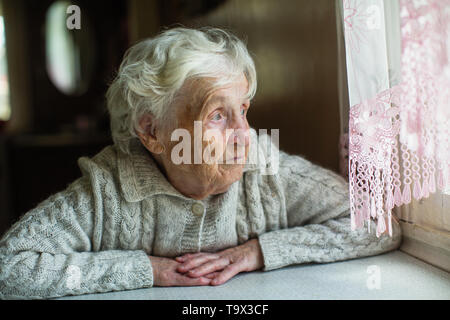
(219, 144)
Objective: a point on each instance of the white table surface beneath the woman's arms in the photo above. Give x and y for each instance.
(401, 277)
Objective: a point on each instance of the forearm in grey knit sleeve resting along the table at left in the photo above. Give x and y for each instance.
(40, 275)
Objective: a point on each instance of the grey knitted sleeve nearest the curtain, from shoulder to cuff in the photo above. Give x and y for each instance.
(318, 217)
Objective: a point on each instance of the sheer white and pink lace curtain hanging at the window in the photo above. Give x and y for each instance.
(395, 103)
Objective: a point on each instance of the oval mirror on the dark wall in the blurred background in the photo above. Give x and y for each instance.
(70, 51)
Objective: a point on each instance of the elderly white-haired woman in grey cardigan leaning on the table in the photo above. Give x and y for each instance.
(139, 217)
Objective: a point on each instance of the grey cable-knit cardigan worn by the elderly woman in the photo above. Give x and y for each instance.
(96, 235)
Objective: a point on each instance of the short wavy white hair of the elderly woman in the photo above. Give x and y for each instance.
(153, 71)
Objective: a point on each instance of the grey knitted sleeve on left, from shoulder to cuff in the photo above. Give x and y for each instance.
(49, 252)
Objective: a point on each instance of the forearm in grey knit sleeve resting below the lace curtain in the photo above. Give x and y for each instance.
(330, 241)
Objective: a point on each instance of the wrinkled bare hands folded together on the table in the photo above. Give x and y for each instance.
(202, 268)
